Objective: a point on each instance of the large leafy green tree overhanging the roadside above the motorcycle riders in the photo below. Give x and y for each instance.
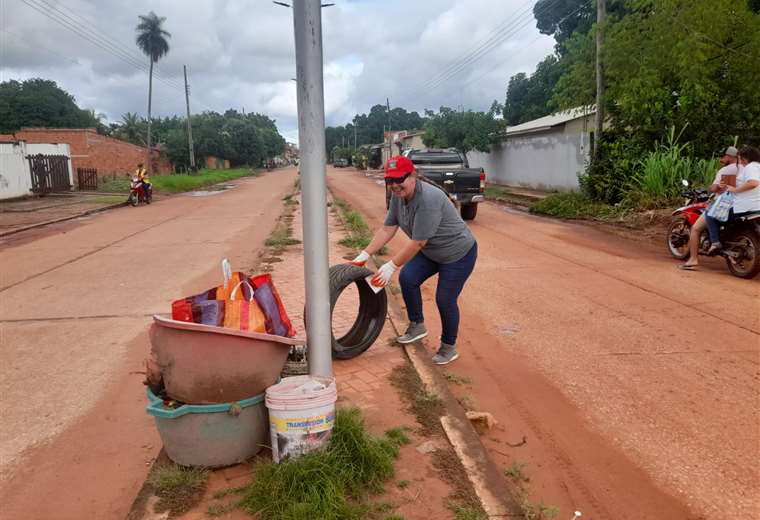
(668, 64)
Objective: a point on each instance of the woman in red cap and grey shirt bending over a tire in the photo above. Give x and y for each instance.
(440, 242)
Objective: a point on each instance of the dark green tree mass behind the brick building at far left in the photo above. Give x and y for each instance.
(40, 102)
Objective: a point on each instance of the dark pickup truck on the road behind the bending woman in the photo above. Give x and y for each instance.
(449, 170)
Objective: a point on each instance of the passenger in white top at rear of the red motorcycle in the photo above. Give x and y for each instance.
(746, 193)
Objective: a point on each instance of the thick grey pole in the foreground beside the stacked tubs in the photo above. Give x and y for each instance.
(307, 23)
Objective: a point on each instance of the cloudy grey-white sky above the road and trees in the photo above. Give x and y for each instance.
(240, 54)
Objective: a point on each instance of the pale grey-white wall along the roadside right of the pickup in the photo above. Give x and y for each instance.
(550, 160)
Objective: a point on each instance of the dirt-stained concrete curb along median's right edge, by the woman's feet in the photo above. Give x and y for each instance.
(496, 496)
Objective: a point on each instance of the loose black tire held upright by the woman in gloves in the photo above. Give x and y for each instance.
(370, 319)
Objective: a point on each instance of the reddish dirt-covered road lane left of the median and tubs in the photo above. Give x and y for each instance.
(75, 305)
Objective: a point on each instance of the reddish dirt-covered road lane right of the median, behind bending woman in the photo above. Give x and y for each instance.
(635, 386)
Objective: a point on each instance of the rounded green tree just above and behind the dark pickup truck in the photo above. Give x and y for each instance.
(464, 131)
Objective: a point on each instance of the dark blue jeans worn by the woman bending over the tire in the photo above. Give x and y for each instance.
(451, 278)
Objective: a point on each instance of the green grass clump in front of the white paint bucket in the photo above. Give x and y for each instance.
(329, 484)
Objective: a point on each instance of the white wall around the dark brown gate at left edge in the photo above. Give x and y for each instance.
(15, 178)
